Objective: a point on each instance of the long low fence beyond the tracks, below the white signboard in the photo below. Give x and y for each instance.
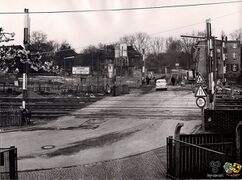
(76, 84)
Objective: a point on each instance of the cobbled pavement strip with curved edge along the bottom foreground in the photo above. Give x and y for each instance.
(144, 166)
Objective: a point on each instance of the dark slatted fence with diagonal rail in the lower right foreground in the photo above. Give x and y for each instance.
(199, 155)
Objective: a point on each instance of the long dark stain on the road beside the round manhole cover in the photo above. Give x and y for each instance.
(100, 141)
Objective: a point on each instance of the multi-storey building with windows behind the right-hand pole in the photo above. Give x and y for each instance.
(226, 55)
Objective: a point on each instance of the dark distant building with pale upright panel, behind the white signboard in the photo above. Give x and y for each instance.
(126, 60)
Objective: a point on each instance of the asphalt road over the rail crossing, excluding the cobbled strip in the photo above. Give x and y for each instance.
(114, 127)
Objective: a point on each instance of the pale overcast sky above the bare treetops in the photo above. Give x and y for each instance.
(83, 29)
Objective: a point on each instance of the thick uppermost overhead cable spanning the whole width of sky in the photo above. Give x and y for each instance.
(125, 9)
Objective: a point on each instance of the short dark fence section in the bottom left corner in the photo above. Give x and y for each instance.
(8, 163)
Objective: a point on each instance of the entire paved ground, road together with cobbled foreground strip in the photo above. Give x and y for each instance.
(120, 137)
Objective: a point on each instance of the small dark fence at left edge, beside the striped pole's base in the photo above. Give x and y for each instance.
(10, 117)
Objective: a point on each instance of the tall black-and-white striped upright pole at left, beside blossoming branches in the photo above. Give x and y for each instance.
(26, 45)
